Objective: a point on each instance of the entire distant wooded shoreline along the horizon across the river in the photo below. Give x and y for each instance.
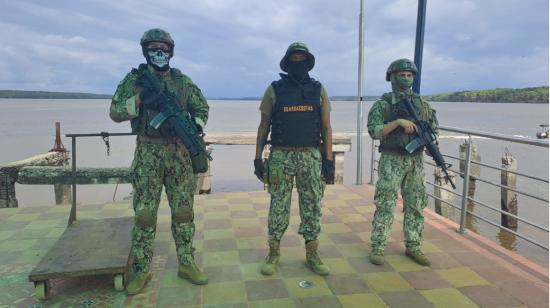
(533, 95)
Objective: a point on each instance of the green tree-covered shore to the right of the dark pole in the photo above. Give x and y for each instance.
(538, 95)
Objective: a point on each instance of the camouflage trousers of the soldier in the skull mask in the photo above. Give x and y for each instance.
(155, 166)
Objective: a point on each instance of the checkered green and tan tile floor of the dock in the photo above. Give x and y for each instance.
(466, 270)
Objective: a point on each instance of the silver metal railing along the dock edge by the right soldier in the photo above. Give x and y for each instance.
(465, 199)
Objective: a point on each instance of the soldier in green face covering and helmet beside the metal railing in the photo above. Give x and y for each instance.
(397, 168)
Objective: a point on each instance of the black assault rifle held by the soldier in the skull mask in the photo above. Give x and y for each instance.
(171, 113)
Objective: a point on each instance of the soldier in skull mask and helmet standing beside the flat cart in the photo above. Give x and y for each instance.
(160, 159)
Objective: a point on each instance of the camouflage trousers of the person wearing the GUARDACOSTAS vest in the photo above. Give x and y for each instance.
(304, 166)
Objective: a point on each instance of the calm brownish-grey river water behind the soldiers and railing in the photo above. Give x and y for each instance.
(27, 128)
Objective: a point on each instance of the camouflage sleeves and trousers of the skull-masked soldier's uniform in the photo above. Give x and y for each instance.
(158, 165)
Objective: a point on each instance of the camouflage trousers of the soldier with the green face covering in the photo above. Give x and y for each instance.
(406, 172)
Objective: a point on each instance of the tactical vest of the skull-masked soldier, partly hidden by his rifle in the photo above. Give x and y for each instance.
(174, 82)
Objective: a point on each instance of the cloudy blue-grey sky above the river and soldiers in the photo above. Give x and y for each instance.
(232, 48)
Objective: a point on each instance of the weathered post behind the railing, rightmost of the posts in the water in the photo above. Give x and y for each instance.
(508, 198)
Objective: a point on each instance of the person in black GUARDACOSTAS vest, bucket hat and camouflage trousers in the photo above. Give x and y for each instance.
(296, 109)
